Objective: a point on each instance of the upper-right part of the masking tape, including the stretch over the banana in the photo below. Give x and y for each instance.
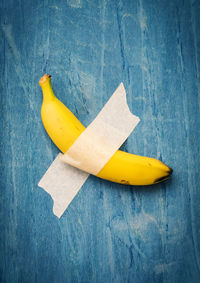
(103, 137)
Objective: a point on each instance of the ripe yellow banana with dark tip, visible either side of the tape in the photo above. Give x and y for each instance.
(64, 128)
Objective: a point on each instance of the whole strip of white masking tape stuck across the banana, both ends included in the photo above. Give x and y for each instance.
(90, 152)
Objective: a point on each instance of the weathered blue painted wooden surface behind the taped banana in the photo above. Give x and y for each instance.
(110, 232)
